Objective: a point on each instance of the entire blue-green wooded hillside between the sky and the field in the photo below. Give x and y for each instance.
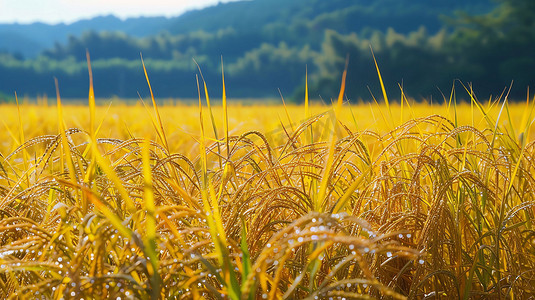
(266, 45)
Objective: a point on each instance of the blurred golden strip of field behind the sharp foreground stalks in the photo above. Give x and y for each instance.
(123, 121)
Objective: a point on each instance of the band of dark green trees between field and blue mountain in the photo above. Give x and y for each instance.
(487, 51)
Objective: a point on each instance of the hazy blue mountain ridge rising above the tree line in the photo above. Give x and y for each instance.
(273, 16)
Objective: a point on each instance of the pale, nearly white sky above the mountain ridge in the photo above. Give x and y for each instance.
(56, 11)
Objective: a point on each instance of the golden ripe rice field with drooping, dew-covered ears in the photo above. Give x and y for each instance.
(217, 201)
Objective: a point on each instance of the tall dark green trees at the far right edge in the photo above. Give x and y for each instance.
(496, 48)
